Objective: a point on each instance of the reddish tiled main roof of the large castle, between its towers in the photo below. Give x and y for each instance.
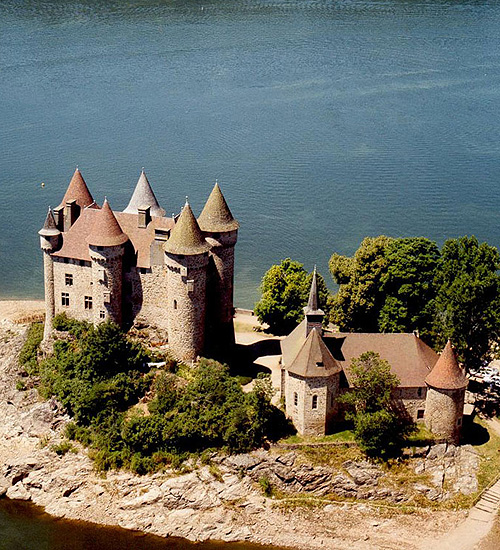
(75, 239)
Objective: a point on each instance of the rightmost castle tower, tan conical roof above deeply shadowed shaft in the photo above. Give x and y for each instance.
(221, 231)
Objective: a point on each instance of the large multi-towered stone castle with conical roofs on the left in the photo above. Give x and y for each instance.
(175, 273)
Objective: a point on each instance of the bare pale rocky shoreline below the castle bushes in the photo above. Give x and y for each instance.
(197, 505)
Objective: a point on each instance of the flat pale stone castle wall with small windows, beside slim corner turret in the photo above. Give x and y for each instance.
(81, 287)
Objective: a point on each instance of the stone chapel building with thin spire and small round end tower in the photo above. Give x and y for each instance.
(315, 371)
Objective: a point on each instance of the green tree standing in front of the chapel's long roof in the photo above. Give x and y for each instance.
(380, 425)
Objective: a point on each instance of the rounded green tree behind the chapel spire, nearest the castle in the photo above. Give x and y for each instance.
(285, 290)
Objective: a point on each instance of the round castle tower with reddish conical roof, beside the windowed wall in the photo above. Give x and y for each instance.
(106, 240)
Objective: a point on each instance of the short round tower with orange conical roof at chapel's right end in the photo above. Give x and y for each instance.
(444, 404)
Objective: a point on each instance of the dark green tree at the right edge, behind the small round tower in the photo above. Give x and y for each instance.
(468, 298)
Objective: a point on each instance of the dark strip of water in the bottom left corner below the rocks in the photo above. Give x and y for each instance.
(26, 527)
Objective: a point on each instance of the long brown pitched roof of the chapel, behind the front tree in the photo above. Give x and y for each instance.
(409, 357)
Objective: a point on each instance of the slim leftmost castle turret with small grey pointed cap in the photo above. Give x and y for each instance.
(49, 242)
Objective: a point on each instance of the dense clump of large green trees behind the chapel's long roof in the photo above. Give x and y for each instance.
(407, 284)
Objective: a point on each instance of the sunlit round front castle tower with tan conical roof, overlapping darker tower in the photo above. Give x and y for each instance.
(186, 259)
